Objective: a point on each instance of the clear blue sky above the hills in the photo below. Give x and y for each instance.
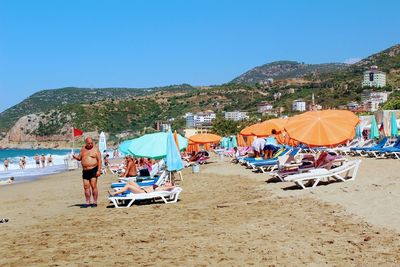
(128, 43)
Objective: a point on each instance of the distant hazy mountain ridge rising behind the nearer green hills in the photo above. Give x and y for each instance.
(285, 69)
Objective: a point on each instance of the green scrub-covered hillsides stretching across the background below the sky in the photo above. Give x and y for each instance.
(117, 110)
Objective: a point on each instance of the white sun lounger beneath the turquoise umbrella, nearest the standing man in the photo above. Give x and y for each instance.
(125, 201)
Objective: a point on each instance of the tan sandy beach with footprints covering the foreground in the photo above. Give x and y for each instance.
(227, 216)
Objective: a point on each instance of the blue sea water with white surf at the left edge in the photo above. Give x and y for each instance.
(31, 171)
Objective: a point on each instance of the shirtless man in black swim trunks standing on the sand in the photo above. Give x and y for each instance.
(90, 158)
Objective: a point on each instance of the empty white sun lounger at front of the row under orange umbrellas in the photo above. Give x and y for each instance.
(314, 176)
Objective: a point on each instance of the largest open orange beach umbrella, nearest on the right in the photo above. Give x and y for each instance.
(322, 128)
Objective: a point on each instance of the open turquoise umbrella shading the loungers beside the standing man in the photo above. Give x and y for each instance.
(153, 145)
